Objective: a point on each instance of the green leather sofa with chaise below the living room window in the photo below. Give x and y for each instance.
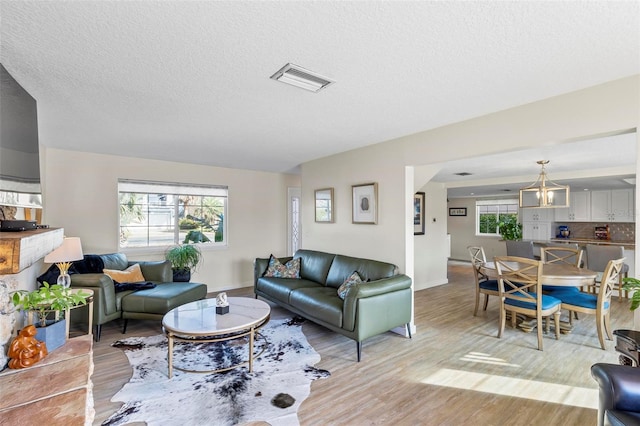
(152, 303)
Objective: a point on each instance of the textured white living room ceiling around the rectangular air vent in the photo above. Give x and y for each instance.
(189, 81)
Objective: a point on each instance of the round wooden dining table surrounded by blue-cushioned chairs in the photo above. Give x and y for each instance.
(557, 274)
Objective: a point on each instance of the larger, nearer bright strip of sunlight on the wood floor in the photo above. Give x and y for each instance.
(515, 387)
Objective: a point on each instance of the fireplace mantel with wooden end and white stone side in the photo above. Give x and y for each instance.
(19, 250)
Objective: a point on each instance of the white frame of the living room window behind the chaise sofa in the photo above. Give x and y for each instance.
(176, 190)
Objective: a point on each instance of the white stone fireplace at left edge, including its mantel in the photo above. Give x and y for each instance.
(21, 255)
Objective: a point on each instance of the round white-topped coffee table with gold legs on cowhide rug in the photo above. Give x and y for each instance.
(197, 322)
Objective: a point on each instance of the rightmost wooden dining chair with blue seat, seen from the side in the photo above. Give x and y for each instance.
(598, 305)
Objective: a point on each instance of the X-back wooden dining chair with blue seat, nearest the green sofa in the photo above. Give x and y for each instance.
(520, 289)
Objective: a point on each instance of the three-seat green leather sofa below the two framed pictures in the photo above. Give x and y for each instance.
(381, 303)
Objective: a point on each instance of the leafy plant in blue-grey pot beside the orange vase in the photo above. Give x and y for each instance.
(42, 303)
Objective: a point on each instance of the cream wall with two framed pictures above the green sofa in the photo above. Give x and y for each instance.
(384, 241)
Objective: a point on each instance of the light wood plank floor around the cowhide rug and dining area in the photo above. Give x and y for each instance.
(454, 371)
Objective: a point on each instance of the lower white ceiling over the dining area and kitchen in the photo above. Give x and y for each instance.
(598, 163)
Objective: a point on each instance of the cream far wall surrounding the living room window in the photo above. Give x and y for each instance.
(81, 196)
